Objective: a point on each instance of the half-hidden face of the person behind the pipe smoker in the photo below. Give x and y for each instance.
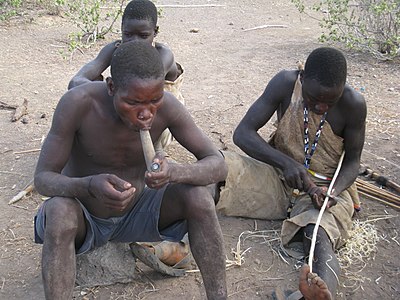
(134, 29)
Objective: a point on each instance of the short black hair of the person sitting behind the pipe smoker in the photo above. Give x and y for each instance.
(141, 10)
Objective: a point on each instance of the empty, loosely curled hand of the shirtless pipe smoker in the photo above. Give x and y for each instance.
(112, 191)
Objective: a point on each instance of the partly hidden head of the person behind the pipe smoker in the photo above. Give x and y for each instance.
(139, 21)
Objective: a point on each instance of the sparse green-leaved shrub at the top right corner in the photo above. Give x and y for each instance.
(368, 25)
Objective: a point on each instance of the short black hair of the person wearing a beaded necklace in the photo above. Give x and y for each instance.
(326, 65)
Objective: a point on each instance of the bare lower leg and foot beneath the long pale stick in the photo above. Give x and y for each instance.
(325, 263)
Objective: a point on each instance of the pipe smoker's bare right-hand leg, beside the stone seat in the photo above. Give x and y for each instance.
(196, 205)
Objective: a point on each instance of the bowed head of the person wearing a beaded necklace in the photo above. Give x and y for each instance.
(324, 78)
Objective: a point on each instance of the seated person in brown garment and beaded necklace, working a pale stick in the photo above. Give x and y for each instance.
(318, 117)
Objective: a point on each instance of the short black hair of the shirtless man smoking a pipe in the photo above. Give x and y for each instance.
(135, 59)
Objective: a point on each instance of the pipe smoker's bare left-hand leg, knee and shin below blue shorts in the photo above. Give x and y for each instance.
(65, 229)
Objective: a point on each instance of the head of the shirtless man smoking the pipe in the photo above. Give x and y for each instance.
(136, 83)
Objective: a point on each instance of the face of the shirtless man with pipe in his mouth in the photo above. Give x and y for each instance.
(137, 102)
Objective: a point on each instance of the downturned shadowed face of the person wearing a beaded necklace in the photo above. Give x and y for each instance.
(320, 98)
